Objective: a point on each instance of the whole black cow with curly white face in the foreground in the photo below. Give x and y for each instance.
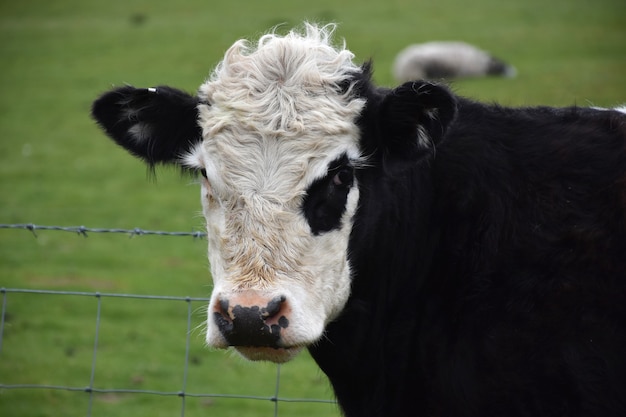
(437, 256)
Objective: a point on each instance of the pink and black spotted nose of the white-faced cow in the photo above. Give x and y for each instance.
(246, 320)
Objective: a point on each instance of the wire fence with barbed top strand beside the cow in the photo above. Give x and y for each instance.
(99, 298)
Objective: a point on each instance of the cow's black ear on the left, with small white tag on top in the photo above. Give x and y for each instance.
(158, 124)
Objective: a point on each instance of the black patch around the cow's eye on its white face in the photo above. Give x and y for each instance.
(325, 200)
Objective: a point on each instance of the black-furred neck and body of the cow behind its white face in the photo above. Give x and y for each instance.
(489, 279)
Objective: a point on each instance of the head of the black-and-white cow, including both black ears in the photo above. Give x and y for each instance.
(277, 134)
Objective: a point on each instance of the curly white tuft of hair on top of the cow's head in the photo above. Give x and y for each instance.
(281, 81)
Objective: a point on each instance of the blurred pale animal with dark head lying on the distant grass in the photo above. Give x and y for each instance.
(447, 60)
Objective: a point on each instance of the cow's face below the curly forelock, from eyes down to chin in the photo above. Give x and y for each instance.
(278, 219)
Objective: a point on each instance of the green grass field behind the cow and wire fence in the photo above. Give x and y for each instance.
(56, 168)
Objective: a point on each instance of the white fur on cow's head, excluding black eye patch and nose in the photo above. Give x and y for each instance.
(273, 121)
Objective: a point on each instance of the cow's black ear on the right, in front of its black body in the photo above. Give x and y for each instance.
(415, 117)
